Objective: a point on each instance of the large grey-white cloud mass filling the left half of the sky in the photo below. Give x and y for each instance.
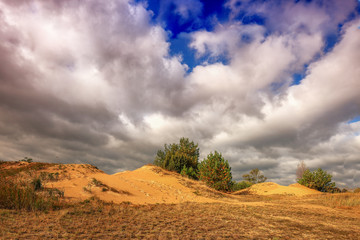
(70, 70)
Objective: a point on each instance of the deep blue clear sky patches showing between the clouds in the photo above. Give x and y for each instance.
(206, 15)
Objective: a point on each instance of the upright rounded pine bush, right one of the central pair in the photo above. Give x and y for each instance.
(216, 172)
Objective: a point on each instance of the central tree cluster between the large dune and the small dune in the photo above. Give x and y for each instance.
(214, 170)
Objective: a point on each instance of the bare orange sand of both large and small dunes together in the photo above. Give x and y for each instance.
(151, 184)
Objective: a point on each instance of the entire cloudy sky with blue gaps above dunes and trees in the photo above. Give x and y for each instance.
(267, 83)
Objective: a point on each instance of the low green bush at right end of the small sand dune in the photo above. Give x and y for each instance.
(319, 180)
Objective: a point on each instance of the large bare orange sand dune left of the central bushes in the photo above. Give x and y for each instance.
(148, 184)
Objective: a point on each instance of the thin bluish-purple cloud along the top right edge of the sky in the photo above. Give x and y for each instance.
(295, 16)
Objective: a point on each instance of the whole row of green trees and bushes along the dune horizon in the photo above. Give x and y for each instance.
(215, 171)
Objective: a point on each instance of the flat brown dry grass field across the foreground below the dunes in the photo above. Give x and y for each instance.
(280, 218)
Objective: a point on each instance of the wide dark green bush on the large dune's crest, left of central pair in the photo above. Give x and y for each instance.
(175, 157)
